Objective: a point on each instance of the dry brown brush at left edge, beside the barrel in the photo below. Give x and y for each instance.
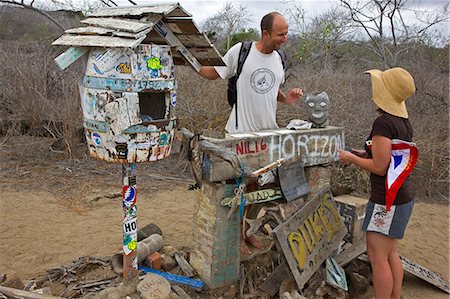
(36, 97)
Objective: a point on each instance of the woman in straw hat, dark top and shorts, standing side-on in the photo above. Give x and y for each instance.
(390, 156)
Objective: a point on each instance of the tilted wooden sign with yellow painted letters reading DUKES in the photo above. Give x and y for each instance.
(310, 235)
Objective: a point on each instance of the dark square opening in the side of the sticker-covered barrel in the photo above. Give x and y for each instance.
(152, 106)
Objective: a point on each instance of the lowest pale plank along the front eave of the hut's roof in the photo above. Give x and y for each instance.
(97, 41)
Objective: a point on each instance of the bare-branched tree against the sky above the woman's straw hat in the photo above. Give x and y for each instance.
(390, 33)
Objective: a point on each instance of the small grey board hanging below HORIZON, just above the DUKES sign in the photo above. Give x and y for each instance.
(292, 180)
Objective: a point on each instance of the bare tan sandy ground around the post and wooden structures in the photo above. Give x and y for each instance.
(43, 224)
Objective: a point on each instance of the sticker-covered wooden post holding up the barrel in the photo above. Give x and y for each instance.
(129, 195)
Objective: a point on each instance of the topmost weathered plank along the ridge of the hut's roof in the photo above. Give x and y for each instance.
(170, 10)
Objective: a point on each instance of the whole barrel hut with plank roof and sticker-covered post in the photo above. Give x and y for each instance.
(129, 91)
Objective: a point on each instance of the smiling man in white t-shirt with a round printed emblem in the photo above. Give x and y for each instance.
(258, 86)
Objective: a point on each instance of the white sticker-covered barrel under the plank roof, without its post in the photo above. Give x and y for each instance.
(128, 98)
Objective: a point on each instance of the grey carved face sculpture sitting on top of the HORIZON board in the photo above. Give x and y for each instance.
(317, 107)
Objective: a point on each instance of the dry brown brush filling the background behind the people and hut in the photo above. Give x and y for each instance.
(36, 98)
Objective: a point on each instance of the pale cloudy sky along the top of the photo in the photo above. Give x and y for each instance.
(201, 10)
